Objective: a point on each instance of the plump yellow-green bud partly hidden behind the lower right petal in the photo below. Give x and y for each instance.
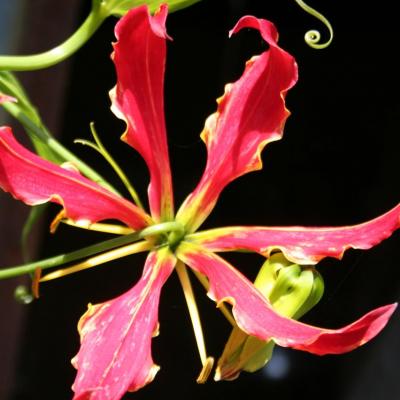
(292, 291)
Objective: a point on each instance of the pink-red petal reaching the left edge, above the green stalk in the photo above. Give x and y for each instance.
(34, 180)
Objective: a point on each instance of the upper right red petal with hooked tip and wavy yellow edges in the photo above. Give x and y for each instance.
(250, 114)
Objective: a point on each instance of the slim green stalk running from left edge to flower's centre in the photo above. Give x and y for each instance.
(55, 261)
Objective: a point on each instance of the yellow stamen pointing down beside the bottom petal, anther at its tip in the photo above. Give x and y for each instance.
(195, 318)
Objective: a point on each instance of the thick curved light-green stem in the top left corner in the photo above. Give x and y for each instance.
(59, 53)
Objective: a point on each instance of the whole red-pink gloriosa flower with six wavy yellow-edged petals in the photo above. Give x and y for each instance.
(115, 354)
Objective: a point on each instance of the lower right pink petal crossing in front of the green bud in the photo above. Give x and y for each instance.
(255, 316)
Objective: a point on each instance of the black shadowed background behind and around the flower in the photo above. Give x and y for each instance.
(336, 165)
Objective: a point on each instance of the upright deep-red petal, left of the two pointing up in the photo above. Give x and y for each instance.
(139, 57)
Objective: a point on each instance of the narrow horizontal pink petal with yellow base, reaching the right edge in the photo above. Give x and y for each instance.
(301, 245)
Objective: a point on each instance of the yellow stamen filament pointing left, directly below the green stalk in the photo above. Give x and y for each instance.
(99, 259)
